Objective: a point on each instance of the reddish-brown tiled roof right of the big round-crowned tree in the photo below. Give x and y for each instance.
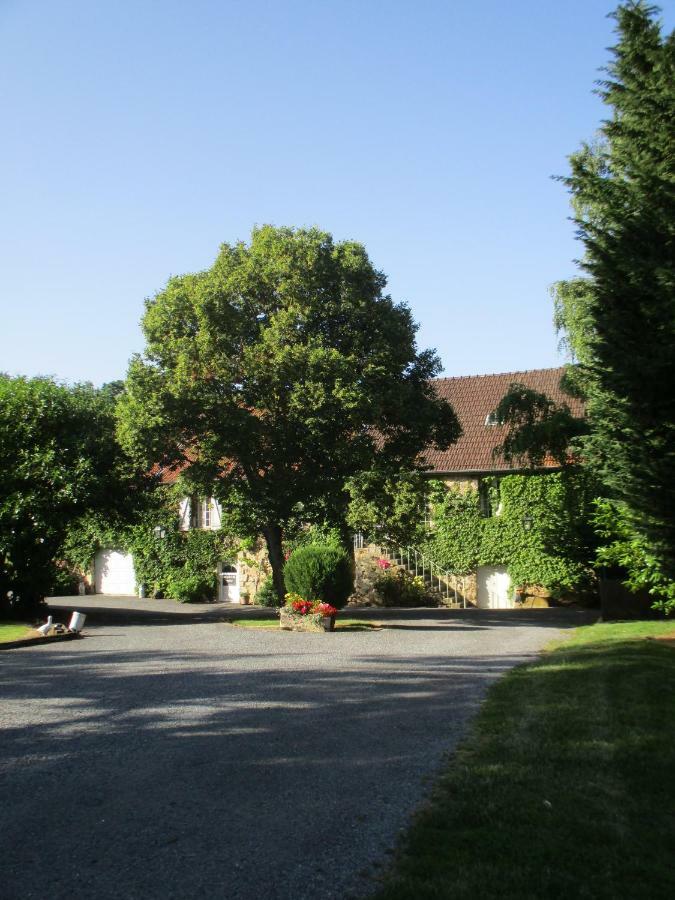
(473, 397)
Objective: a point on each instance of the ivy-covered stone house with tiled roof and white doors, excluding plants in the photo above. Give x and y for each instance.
(466, 464)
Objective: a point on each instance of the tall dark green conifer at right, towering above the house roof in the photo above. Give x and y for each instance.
(618, 317)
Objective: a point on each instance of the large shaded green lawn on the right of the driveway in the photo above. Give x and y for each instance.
(566, 786)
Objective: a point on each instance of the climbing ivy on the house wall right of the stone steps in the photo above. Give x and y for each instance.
(542, 532)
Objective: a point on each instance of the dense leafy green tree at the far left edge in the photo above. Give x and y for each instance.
(59, 460)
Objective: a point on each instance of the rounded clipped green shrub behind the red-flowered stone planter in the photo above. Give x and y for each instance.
(320, 572)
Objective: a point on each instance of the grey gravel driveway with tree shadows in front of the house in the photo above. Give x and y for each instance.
(169, 755)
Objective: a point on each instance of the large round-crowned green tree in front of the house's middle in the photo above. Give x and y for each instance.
(278, 374)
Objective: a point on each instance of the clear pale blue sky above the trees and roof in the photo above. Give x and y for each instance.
(138, 136)
